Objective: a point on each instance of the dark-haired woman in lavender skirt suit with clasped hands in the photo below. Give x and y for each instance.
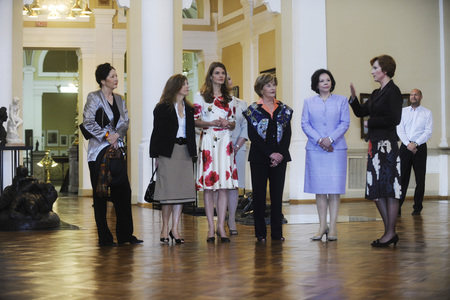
(325, 119)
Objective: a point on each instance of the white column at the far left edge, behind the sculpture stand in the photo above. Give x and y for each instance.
(6, 25)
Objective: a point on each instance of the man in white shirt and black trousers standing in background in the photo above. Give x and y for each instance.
(414, 130)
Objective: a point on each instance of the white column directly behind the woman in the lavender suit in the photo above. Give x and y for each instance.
(309, 53)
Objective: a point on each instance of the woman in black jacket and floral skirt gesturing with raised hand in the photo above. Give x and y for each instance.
(383, 161)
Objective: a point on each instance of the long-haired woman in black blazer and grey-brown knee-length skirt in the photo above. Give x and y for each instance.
(173, 145)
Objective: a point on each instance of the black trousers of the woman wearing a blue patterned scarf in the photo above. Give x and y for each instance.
(276, 176)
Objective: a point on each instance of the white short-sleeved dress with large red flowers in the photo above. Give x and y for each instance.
(216, 167)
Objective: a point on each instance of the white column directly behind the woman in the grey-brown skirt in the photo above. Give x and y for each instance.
(157, 67)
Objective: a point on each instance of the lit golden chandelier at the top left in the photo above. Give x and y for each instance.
(56, 9)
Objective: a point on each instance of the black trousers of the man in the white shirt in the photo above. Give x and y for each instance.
(418, 162)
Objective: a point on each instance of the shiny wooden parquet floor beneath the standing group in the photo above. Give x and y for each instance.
(68, 264)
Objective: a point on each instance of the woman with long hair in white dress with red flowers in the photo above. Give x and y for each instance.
(216, 170)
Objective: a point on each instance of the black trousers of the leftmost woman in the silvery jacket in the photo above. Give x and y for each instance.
(120, 196)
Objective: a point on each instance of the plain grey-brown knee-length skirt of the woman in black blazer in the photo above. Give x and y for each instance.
(175, 182)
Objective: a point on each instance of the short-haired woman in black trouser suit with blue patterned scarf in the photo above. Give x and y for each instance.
(269, 130)
